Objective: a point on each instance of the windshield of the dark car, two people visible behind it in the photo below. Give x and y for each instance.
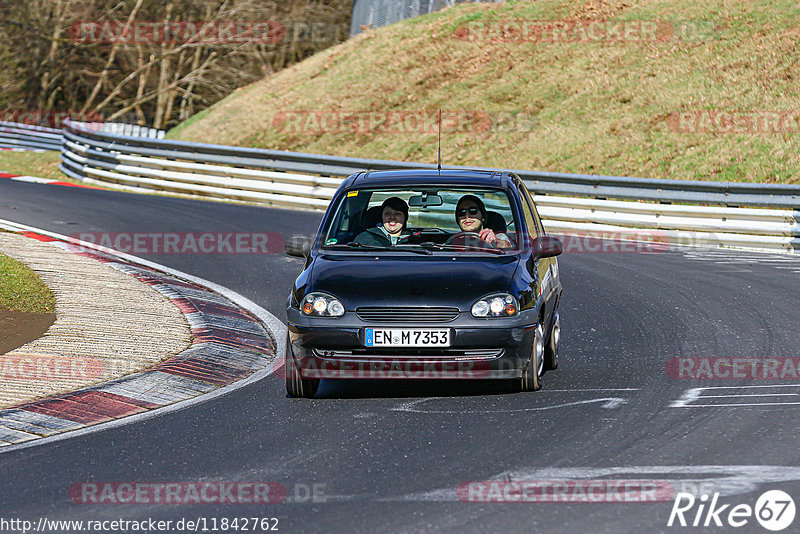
(367, 220)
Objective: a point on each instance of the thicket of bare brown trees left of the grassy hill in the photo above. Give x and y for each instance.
(160, 81)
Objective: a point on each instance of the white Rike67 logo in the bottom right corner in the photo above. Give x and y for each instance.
(774, 510)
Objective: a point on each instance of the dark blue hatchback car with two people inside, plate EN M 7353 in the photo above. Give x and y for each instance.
(425, 274)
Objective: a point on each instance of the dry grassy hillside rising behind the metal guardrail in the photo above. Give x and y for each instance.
(670, 99)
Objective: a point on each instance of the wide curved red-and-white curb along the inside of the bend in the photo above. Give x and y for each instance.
(231, 347)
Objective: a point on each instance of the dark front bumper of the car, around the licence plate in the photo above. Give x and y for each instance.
(479, 349)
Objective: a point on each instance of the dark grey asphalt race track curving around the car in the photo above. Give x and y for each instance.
(387, 456)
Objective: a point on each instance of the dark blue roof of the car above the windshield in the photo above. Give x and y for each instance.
(449, 177)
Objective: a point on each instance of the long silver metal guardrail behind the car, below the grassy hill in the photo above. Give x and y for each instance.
(679, 211)
